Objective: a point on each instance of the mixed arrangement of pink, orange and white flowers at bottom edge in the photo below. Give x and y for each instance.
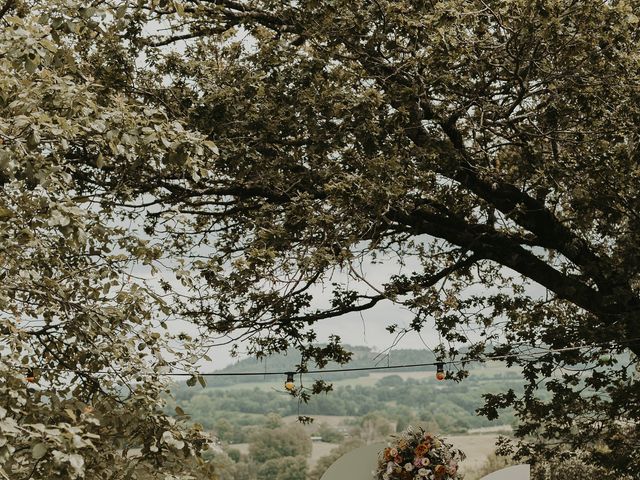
(419, 455)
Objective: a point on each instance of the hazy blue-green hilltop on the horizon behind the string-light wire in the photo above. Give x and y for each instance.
(362, 357)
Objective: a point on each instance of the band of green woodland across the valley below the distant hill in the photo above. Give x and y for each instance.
(452, 408)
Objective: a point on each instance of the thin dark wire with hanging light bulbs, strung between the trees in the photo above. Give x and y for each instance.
(532, 357)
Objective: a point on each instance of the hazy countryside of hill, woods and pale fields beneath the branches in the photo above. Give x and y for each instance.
(362, 407)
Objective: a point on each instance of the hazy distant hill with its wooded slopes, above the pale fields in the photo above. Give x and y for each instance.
(412, 393)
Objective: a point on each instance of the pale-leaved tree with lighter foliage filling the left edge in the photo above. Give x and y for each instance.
(82, 348)
